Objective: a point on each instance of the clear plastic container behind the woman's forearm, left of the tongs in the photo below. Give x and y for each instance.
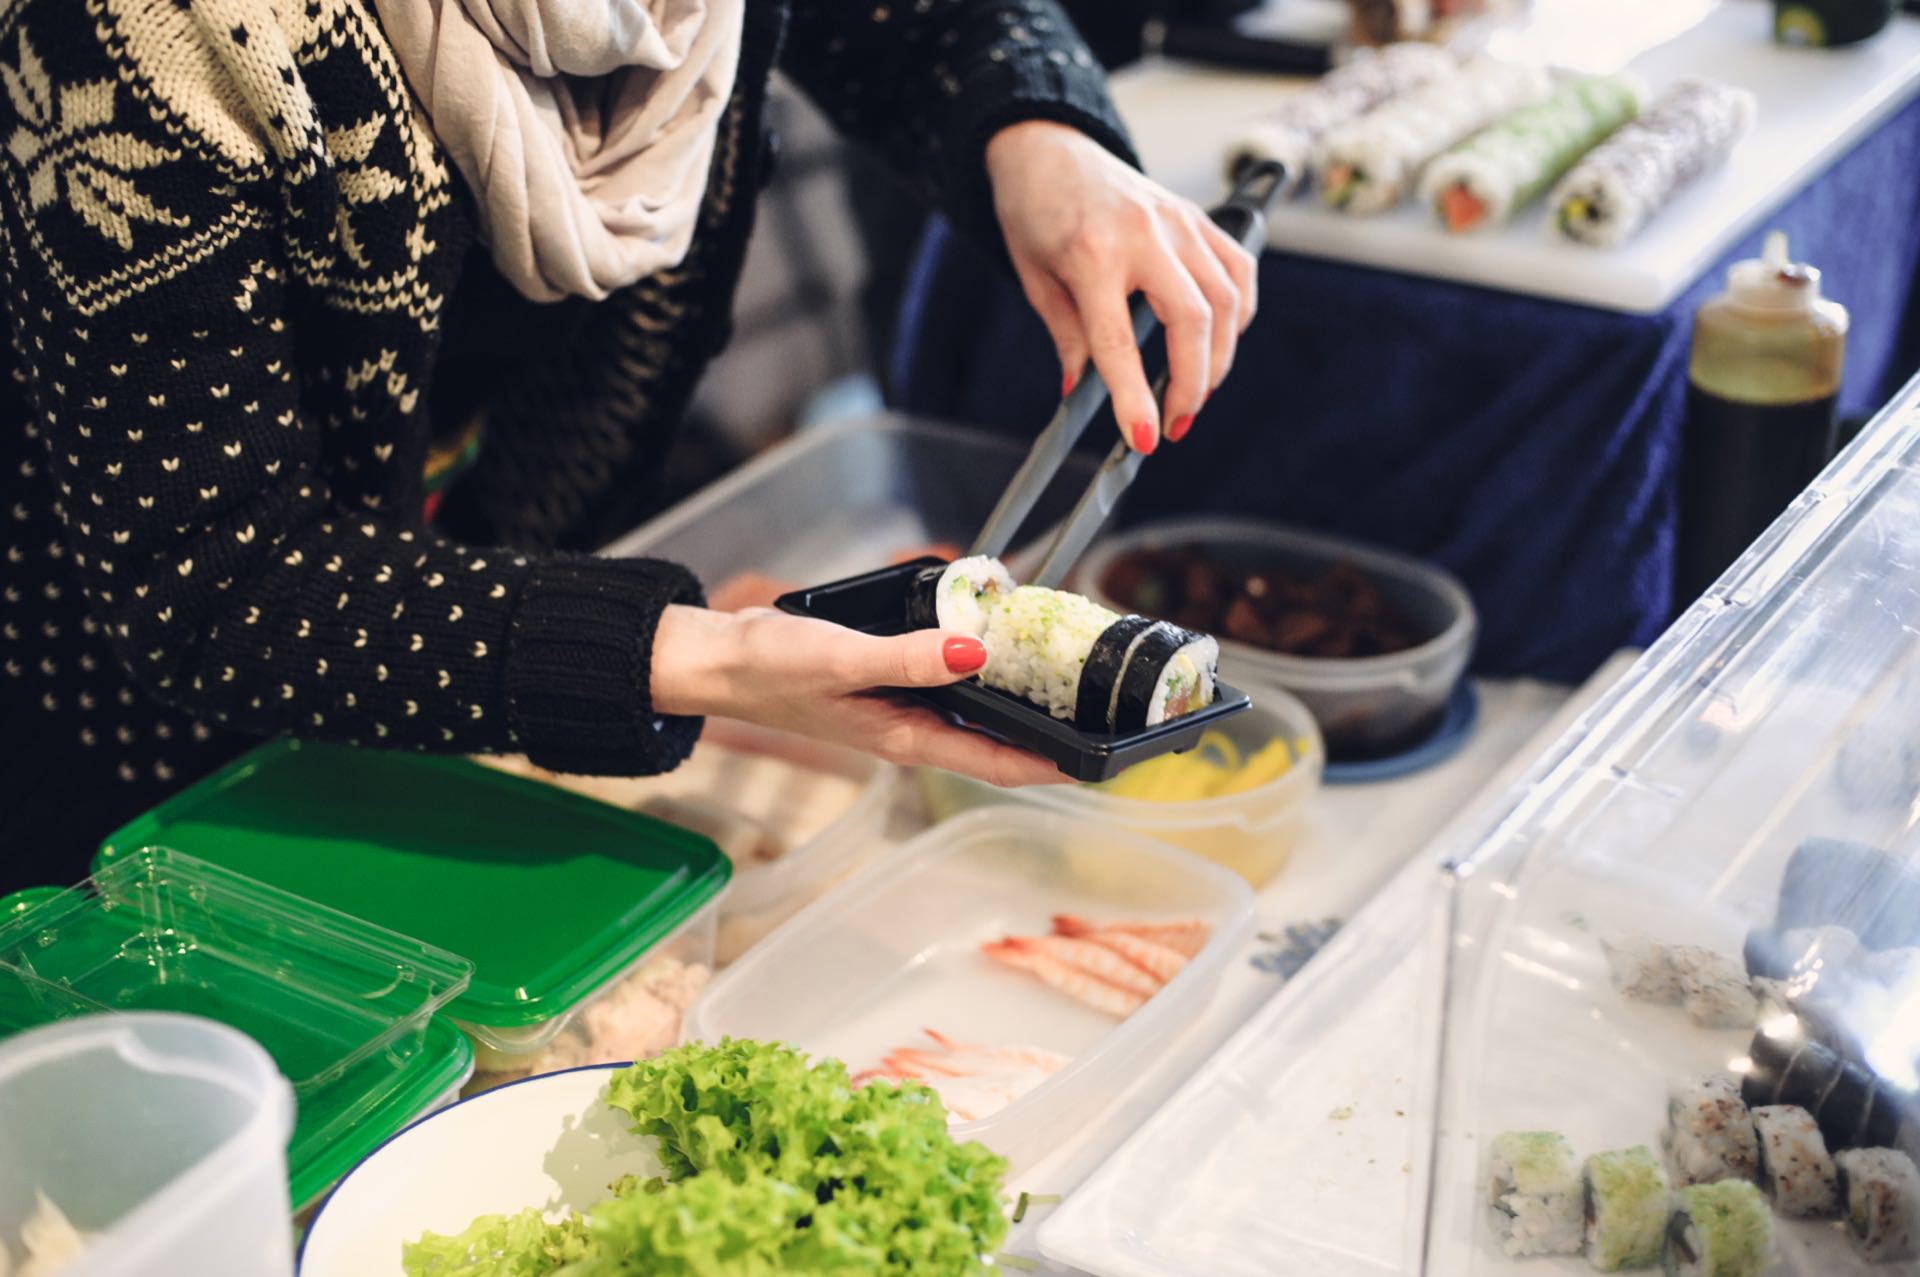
(848, 498)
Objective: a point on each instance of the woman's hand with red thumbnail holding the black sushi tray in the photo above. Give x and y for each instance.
(832, 685)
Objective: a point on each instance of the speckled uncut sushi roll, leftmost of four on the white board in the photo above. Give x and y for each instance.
(1374, 76)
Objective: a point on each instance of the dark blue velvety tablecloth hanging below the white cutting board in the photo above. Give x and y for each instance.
(1529, 446)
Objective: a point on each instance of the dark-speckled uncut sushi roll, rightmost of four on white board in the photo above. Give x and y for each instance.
(1629, 178)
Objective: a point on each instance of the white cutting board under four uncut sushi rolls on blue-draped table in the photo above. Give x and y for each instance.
(1815, 105)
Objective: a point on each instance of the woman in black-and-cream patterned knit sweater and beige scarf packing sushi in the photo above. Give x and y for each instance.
(279, 266)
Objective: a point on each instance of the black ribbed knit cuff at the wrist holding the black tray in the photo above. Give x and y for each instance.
(581, 665)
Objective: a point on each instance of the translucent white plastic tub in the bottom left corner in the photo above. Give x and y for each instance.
(160, 1138)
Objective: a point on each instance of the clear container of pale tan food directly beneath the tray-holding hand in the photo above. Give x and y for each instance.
(792, 815)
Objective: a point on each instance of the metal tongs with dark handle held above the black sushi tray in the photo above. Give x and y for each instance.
(1243, 216)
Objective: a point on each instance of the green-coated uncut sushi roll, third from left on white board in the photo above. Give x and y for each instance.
(1506, 166)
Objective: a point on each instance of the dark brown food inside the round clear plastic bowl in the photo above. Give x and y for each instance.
(1333, 615)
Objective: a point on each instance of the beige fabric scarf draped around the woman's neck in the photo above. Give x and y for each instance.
(585, 128)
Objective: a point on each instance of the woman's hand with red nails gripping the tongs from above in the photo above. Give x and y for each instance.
(1086, 233)
